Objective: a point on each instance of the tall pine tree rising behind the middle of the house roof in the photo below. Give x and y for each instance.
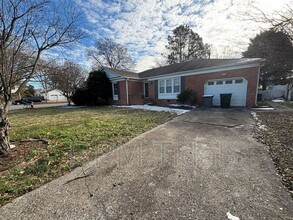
(186, 45)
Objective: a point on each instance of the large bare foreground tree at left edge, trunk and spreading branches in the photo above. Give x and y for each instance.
(27, 29)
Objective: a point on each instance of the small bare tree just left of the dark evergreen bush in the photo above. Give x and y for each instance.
(66, 78)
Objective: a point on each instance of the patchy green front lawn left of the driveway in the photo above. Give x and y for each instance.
(75, 136)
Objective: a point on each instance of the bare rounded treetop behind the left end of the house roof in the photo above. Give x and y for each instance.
(110, 54)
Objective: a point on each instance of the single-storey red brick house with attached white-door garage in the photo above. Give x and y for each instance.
(161, 85)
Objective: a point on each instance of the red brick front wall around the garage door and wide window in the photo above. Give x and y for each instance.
(196, 83)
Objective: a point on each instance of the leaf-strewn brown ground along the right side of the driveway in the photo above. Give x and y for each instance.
(278, 136)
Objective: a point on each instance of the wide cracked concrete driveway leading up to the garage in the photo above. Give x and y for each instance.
(200, 166)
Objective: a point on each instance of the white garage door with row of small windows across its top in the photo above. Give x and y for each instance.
(237, 86)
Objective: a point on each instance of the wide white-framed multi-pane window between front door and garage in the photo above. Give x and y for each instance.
(169, 88)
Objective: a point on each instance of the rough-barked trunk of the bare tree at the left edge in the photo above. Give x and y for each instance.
(4, 131)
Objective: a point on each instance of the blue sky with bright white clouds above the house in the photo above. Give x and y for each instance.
(143, 26)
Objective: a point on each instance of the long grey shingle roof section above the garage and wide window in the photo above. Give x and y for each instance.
(196, 64)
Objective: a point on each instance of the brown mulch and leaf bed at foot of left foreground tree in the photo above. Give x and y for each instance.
(17, 155)
